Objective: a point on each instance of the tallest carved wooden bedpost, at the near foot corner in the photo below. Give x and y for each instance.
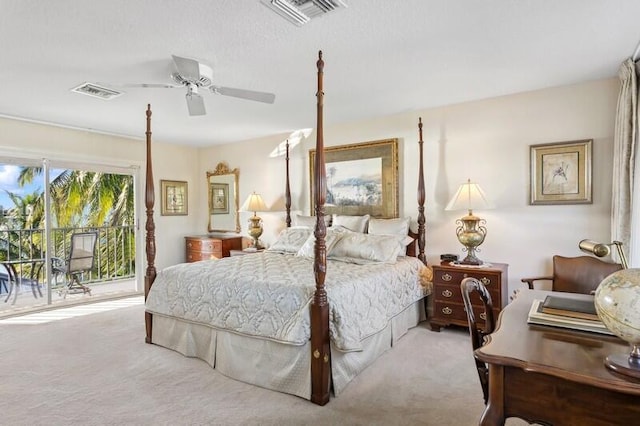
(320, 348)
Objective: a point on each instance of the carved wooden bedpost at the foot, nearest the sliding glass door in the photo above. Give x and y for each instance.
(149, 199)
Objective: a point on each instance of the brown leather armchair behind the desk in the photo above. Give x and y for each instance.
(580, 274)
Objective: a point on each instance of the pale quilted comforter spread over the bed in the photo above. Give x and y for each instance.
(268, 295)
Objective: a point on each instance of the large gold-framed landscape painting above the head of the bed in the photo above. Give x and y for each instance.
(362, 178)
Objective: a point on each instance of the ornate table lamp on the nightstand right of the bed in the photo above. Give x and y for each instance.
(471, 230)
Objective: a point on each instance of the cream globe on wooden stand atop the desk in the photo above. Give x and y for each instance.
(617, 302)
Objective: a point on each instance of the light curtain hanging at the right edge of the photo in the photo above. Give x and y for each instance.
(624, 227)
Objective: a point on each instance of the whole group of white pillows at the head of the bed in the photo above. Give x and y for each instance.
(353, 239)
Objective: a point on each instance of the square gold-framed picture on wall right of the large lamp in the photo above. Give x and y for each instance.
(561, 172)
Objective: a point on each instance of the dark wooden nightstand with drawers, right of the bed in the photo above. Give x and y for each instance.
(448, 308)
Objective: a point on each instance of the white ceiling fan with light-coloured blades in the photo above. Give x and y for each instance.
(194, 76)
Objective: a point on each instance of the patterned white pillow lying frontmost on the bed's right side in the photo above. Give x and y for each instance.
(355, 247)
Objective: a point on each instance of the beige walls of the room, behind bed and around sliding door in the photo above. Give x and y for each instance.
(487, 141)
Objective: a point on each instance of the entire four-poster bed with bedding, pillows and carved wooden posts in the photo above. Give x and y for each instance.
(295, 318)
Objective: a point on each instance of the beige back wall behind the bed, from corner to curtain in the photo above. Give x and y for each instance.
(487, 141)
